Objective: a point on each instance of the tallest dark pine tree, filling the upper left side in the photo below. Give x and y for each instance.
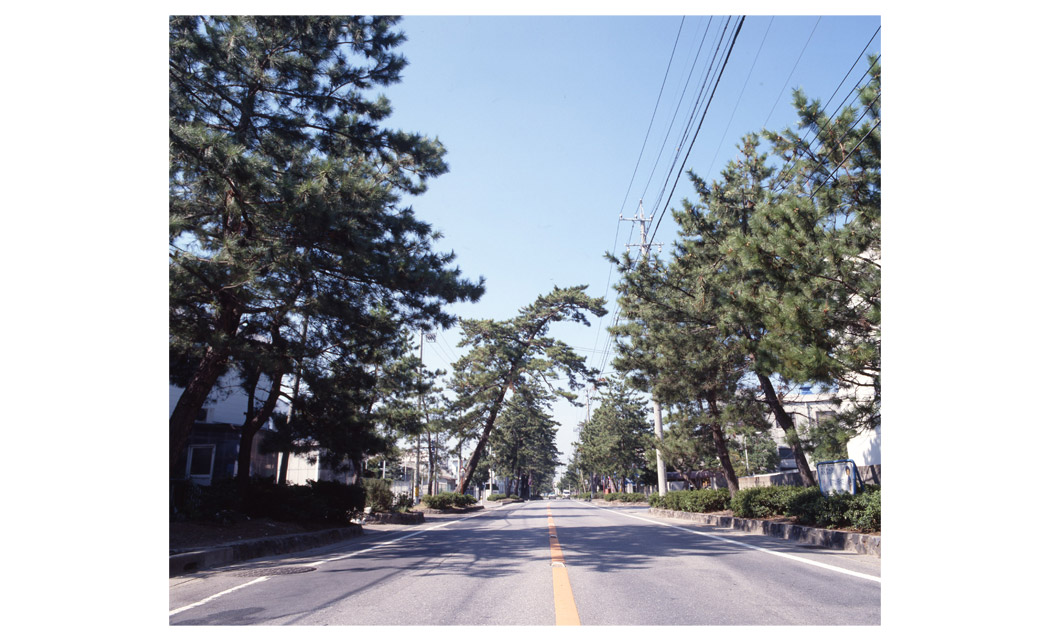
(284, 197)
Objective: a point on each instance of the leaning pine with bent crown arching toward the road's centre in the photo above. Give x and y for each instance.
(506, 354)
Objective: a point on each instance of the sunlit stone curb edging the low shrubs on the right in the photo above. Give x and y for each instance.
(841, 541)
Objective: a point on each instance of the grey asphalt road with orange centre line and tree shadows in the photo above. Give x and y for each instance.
(541, 564)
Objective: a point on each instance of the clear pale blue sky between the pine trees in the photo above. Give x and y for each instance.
(545, 121)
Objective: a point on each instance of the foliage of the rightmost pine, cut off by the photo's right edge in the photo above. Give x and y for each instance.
(828, 227)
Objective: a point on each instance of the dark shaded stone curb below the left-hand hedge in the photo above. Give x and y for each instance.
(206, 559)
